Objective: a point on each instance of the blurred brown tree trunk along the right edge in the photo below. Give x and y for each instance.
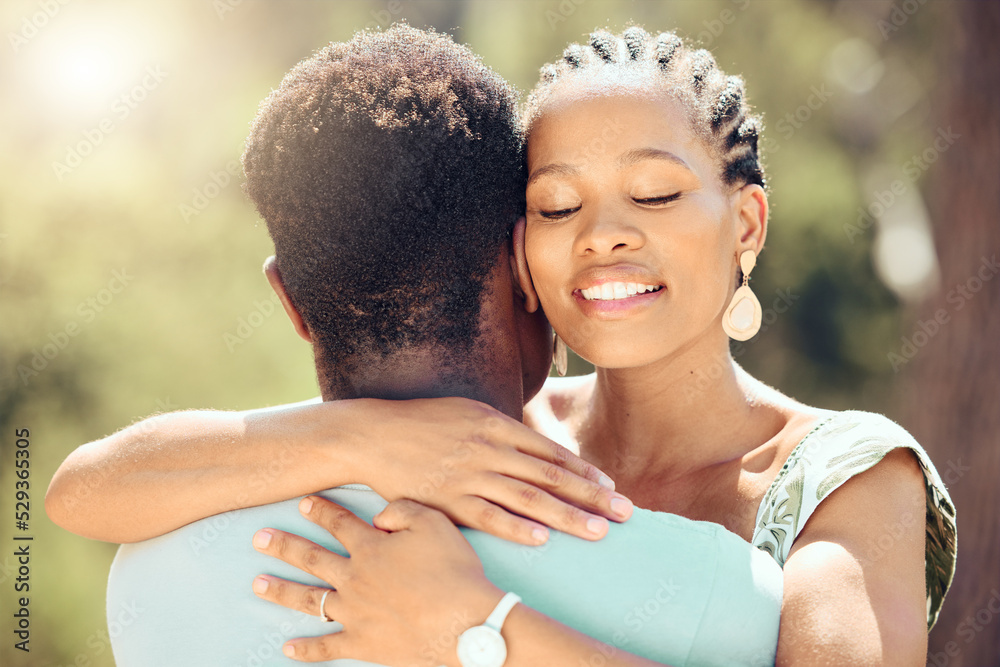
(954, 403)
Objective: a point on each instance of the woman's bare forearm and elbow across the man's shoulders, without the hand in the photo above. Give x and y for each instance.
(171, 469)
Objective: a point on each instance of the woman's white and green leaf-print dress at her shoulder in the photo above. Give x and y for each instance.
(838, 448)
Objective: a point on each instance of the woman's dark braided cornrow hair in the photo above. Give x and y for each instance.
(717, 103)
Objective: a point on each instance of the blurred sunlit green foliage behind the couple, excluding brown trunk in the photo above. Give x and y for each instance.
(153, 201)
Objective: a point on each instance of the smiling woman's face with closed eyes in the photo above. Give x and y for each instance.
(631, 238)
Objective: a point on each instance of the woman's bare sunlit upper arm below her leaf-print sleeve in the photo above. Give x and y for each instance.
(854, 579)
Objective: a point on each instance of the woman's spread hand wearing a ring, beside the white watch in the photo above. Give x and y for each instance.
(412, 584)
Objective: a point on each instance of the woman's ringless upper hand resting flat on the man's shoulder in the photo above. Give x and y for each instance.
(482, 469)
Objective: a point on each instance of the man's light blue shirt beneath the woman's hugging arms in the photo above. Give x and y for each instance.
(673, 590)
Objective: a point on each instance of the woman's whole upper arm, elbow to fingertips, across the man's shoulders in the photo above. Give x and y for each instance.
(461, 456)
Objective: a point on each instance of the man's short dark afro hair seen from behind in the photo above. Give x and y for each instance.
(389, 171)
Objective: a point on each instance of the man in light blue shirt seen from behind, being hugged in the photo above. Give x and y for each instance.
(389, 173)
